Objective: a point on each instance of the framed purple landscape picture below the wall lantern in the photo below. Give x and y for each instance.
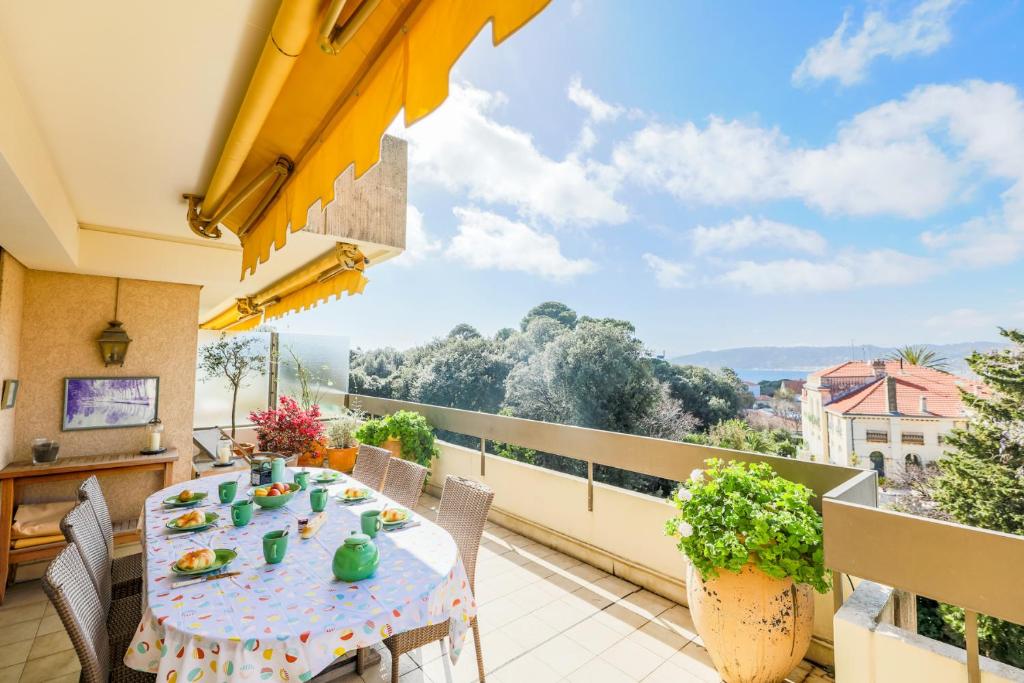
(109, 403)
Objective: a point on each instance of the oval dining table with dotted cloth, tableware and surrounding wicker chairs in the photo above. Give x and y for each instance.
(296, 580)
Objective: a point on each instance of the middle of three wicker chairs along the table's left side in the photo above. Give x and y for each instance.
(81, 530)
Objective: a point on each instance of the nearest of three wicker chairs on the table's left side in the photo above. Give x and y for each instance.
(69, 587)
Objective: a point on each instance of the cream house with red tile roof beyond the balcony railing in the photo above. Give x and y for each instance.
(882, 415)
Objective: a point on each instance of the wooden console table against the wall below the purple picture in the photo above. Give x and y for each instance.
(17, 477)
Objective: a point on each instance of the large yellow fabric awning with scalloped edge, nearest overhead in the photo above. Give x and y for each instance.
(333, 110)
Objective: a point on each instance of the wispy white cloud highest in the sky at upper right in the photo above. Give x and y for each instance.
(846, 58)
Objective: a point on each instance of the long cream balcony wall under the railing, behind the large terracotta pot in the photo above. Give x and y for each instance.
(623, 536)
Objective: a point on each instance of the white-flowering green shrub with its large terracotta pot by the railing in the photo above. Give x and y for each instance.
(755, 551)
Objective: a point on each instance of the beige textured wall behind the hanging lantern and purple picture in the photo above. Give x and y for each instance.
(63, 317)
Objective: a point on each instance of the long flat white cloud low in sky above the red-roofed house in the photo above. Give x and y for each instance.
(848, 271)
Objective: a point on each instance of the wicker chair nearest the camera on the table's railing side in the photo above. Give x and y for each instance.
(462, 513)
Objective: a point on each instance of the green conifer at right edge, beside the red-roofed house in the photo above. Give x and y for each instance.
(982, 481)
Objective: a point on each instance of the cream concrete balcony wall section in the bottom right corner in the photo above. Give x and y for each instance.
(869, 648)
